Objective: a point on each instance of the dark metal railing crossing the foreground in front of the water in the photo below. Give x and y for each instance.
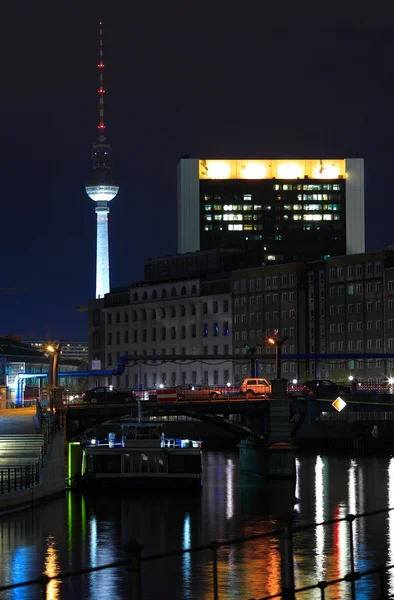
(285, 534)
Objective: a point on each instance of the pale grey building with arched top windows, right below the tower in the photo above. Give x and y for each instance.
(168, 318)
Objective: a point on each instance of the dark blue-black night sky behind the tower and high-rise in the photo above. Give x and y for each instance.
(216, 79)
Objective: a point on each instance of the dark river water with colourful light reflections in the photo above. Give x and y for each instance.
(76, 531)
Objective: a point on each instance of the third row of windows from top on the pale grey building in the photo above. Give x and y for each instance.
(162, 333)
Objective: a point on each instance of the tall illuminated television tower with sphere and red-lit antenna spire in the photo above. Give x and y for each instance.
(101, 188)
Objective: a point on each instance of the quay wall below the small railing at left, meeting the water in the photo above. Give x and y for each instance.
(52, 480)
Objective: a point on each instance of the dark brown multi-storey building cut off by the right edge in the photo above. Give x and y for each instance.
(351, 310)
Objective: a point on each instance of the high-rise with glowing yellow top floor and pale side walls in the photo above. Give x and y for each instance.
(273, 210)
